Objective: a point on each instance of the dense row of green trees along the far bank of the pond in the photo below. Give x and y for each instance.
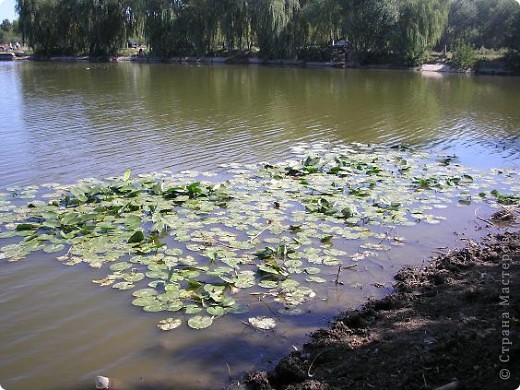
(377, 30)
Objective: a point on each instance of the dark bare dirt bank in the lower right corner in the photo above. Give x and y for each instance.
(452, 325)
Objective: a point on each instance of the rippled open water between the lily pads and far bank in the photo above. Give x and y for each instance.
(67, 121)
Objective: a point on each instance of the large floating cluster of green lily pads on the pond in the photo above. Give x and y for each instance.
(191, 243)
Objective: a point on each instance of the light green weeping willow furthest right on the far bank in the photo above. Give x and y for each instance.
(421, 24)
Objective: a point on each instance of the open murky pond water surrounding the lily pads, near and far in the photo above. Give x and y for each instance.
(64, 122)
